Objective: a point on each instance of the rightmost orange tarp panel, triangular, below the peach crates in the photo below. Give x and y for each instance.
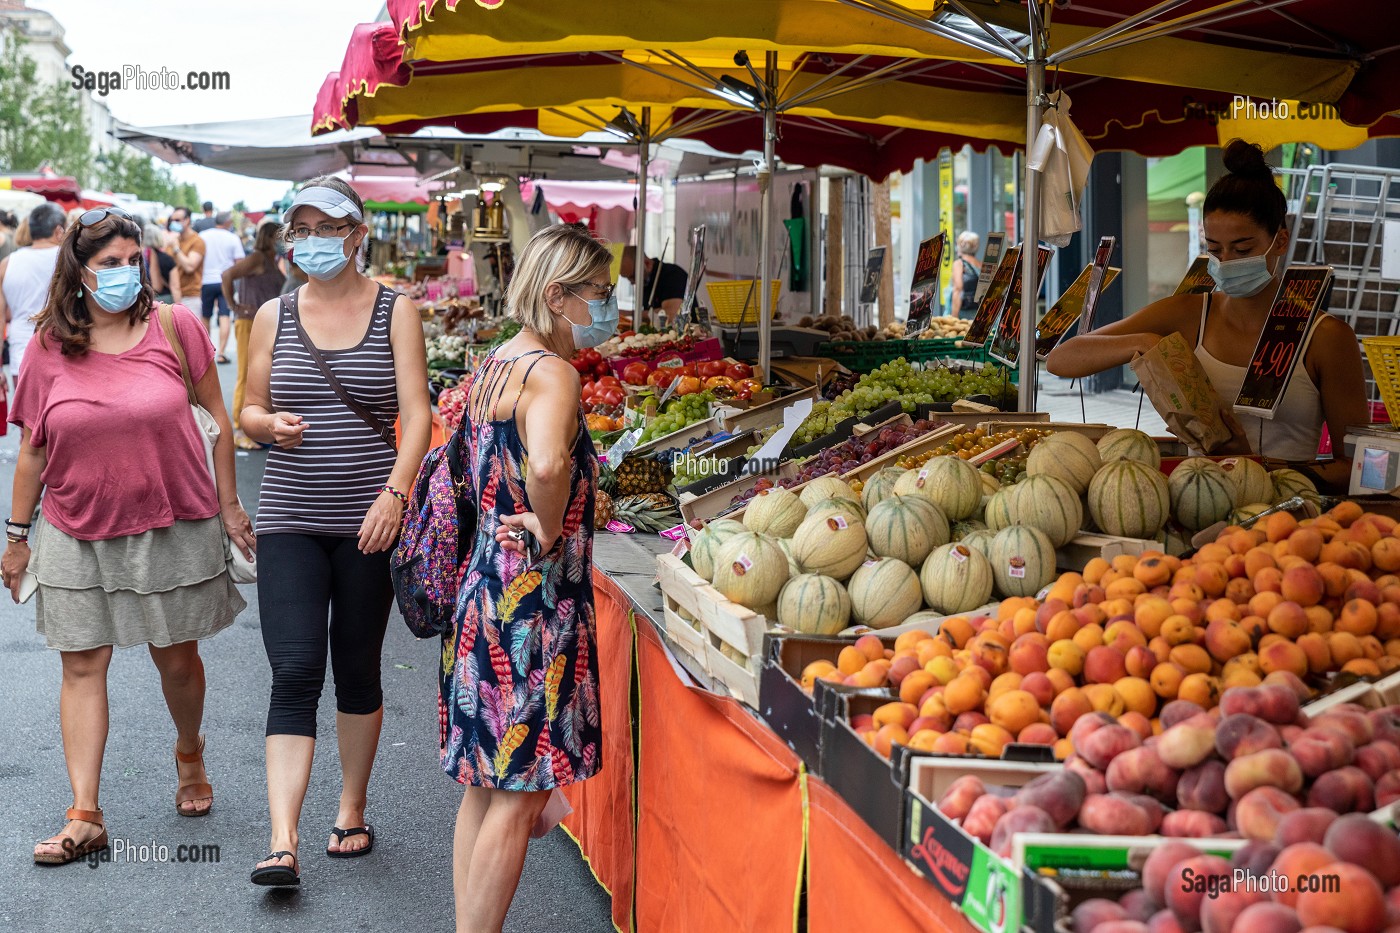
(855, 880)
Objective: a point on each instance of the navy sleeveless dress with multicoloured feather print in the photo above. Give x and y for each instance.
(519, 707)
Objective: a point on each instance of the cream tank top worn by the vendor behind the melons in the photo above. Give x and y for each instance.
(1296, 432)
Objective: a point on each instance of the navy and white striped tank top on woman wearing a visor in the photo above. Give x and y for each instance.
(327, 484)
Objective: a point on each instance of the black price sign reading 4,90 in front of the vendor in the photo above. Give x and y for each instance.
(1284, 340)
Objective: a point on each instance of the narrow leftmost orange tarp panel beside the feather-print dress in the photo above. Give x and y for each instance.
(604, 817)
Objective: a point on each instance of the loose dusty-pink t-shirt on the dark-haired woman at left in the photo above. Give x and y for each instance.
(124, 455)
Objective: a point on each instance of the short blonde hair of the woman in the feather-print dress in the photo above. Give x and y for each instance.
(565, 254)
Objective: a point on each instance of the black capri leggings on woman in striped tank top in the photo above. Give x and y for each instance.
(302, 576)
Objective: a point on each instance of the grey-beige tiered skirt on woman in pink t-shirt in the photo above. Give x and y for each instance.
(160, 588)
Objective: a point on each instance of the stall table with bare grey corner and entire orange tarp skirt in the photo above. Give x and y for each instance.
(702, 817)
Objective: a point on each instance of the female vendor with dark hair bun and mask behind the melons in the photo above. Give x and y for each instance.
(1248, 244)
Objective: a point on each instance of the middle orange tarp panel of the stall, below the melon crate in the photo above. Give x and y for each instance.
(720, 810)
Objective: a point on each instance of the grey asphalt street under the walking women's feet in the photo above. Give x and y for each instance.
(404, 885)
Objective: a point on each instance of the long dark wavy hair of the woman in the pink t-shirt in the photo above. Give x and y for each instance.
(65, 316)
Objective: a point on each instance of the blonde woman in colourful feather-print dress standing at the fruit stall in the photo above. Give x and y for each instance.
(519, 707)
